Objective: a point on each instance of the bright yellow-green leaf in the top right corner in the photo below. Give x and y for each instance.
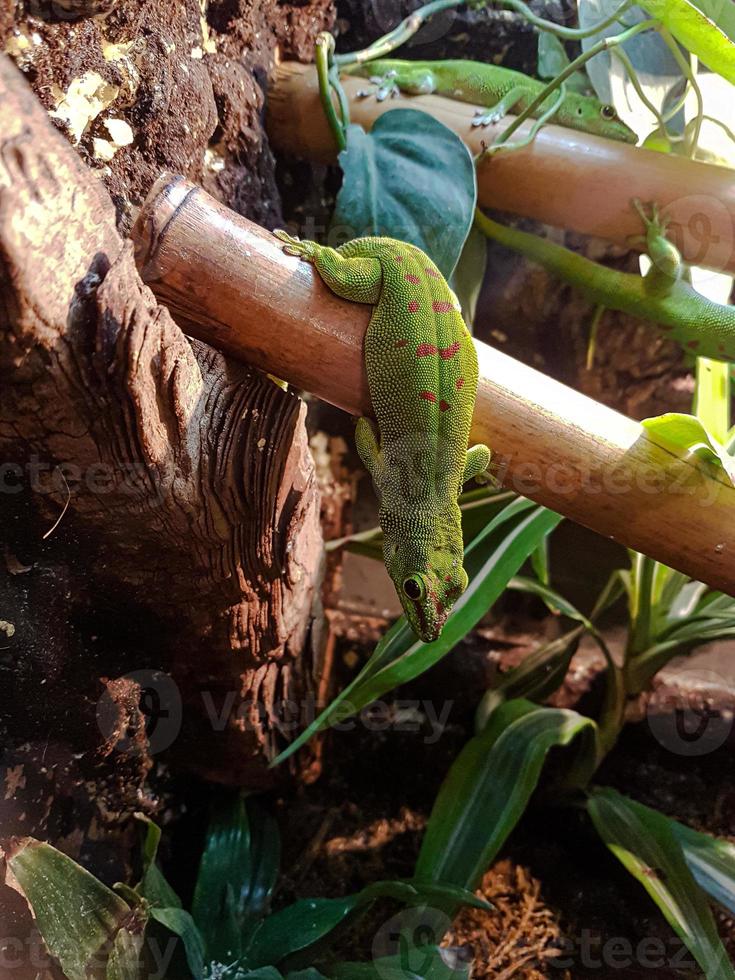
(700, 35)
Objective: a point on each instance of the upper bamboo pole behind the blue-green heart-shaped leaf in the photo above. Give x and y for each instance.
(563, 178)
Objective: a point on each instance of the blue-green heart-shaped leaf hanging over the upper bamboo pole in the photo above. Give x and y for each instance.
(396, 184)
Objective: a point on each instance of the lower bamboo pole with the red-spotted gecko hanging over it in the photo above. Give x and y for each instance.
(233, 287)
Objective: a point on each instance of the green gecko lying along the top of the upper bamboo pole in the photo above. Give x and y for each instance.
(501, 90)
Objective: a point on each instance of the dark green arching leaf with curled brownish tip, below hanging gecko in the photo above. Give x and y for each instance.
(489, 786)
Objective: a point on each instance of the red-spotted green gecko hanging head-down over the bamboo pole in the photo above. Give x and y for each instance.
(422, 374)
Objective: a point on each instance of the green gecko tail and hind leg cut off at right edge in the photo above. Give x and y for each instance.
(703, 327)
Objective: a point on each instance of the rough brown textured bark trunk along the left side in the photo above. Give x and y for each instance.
(188, 536)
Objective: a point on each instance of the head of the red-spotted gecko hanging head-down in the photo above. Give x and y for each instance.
(427, 589)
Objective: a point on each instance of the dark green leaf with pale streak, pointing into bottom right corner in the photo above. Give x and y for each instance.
(647, 846)
